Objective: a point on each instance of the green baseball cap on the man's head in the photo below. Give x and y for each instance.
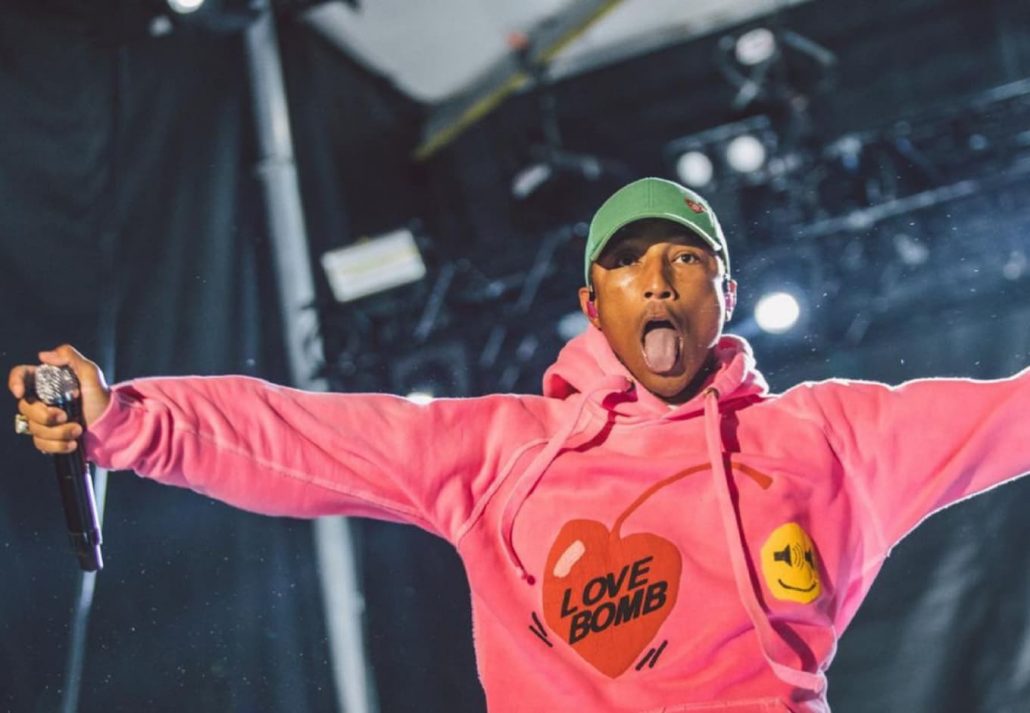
(654, 198)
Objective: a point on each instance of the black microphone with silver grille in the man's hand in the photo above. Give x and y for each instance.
(58, 387)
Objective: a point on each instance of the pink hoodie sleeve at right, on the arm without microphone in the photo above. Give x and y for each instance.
(925, 445)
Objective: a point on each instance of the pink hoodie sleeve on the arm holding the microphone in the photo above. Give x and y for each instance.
(284, 452)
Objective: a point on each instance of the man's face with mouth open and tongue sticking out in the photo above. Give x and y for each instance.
(661, 303)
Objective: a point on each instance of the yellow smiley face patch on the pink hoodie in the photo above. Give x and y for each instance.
(789, 565)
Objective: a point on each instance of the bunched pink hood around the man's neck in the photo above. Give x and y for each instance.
(588, 360)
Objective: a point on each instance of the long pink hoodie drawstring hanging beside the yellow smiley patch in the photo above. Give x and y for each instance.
(737, 547)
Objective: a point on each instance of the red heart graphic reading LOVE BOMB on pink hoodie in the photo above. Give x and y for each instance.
(606, 595)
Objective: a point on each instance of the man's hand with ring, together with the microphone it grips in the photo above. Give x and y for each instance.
(56, 401)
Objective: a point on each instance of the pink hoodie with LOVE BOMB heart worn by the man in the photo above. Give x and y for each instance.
(624, 556)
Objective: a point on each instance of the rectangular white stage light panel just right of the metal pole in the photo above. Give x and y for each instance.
(373, 266)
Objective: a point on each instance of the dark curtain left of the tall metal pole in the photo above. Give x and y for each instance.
(134, 153)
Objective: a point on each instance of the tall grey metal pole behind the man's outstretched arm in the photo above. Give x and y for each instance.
(278, 172)
